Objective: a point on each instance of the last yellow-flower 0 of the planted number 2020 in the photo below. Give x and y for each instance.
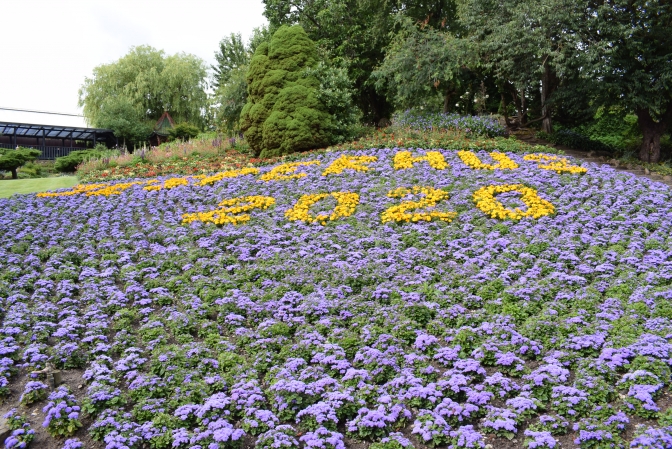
(536, 207)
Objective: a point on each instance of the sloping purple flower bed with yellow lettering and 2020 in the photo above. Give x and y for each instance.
(369, 296)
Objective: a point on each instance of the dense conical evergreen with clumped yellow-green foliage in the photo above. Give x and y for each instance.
(283, 114)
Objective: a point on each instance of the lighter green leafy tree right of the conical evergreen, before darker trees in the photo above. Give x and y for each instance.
(421, 63)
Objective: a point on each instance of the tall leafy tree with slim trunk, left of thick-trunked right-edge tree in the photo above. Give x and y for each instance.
(528, 46)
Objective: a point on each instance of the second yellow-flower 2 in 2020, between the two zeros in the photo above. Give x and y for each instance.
(431, 197)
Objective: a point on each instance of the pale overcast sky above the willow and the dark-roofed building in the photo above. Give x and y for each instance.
(50, 46)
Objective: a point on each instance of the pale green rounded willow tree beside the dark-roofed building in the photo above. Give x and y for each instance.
(151, 83)
